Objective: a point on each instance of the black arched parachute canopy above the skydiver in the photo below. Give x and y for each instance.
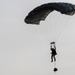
(41, 12)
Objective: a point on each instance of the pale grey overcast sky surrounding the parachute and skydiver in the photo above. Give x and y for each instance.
(24, 50)
